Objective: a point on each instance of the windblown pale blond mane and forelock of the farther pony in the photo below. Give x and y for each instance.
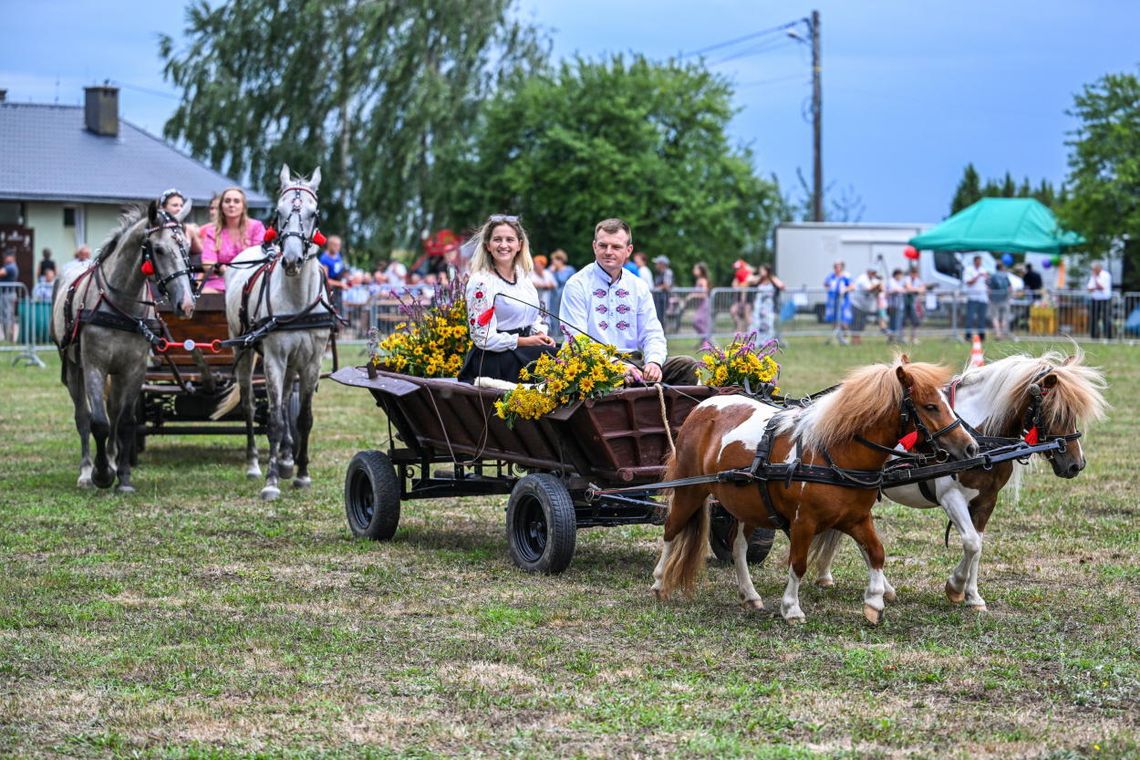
(1077, 399)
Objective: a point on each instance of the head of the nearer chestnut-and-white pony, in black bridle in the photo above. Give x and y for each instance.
(927, 415)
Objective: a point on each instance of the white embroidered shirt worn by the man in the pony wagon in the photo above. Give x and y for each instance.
(621, 314)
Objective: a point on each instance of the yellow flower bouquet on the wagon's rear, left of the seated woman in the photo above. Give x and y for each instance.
(434, 340)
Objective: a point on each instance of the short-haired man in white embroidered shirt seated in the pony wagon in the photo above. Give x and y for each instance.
(613, 306)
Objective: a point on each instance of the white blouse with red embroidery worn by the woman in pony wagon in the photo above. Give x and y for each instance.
(509, 314)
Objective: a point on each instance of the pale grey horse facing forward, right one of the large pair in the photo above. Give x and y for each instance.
(276, 300)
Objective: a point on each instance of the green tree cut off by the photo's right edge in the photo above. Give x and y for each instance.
(1103, 189)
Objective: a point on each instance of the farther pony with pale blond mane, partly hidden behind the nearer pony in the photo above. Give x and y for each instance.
(1009, 398)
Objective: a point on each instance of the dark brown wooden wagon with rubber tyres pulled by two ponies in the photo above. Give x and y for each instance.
(446, 442)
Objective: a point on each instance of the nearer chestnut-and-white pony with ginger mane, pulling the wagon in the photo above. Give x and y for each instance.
(723, 434)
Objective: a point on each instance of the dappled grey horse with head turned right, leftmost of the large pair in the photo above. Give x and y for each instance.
(104, 321)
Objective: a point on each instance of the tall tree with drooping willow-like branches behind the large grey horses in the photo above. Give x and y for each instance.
(378, 94)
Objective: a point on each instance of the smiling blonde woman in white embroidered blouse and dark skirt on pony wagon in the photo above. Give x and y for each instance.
(508, 331)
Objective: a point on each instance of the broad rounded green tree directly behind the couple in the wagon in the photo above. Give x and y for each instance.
(636, 140)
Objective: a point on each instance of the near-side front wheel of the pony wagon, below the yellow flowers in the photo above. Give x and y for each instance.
(541, 525)
